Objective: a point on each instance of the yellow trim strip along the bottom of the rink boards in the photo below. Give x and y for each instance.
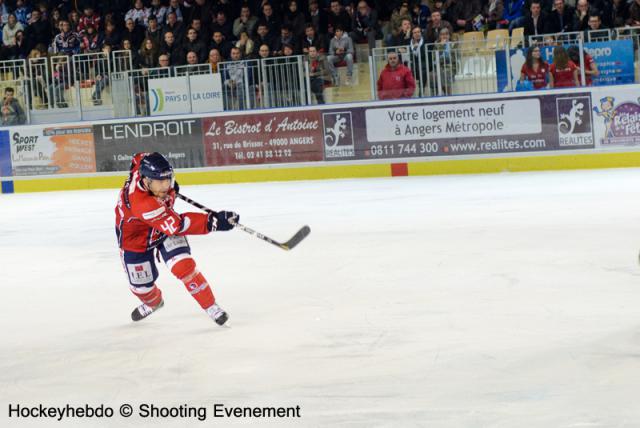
(322, 172)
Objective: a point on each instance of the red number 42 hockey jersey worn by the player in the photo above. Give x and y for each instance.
(144, 221)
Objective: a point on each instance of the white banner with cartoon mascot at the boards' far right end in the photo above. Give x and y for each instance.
(616, 117)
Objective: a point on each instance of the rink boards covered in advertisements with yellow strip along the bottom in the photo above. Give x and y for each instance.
(580, 128)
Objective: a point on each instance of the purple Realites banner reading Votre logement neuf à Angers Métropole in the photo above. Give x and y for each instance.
(519, 124)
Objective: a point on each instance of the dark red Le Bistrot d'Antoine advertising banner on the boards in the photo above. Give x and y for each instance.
(266, 138)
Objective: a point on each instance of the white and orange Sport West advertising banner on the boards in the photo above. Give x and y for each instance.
(52, 150)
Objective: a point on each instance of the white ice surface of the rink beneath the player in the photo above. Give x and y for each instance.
(505, 300)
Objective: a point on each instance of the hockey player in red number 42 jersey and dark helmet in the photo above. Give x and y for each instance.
(146, 223)
